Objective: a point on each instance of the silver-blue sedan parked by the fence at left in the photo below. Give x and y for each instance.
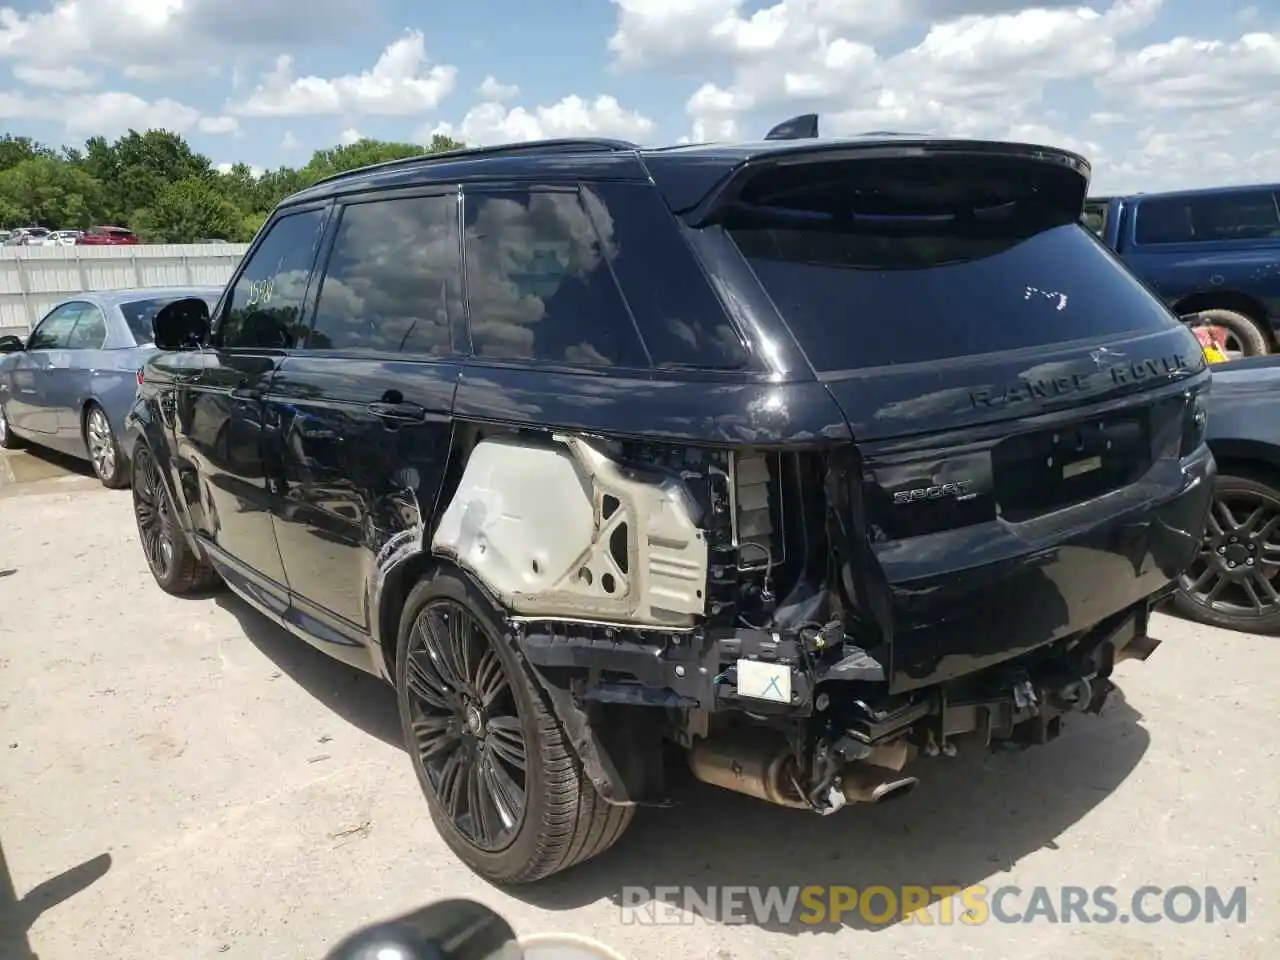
(71, 385)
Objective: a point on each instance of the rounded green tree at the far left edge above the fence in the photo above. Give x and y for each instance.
(49, 193)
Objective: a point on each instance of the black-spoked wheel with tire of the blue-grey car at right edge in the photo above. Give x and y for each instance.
(1235, 583)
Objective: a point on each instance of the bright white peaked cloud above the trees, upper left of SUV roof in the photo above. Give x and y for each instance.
(403, 83)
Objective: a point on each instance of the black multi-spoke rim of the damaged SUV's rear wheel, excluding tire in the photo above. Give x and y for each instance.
(467, 726)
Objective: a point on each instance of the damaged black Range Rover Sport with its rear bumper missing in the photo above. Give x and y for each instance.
(808, 456)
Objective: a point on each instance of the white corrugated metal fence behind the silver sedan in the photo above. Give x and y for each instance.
(34, 280)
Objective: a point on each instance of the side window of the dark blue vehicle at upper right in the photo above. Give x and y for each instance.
(1212, 217)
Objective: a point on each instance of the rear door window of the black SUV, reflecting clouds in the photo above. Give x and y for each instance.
(395, 278)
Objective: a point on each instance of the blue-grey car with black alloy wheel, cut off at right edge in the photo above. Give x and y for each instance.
(1236, 580)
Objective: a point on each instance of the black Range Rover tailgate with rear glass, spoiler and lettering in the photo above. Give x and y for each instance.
(1020, 400)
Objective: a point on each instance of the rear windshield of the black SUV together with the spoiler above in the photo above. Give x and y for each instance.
(921, 260)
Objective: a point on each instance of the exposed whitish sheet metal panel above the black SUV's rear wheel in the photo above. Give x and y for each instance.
(533, 524)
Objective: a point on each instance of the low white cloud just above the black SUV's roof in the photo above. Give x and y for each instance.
(572, 117)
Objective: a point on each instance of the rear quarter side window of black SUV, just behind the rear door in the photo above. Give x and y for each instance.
(540, 285)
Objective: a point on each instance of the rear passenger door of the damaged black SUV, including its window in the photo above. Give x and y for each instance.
(363, 410)
